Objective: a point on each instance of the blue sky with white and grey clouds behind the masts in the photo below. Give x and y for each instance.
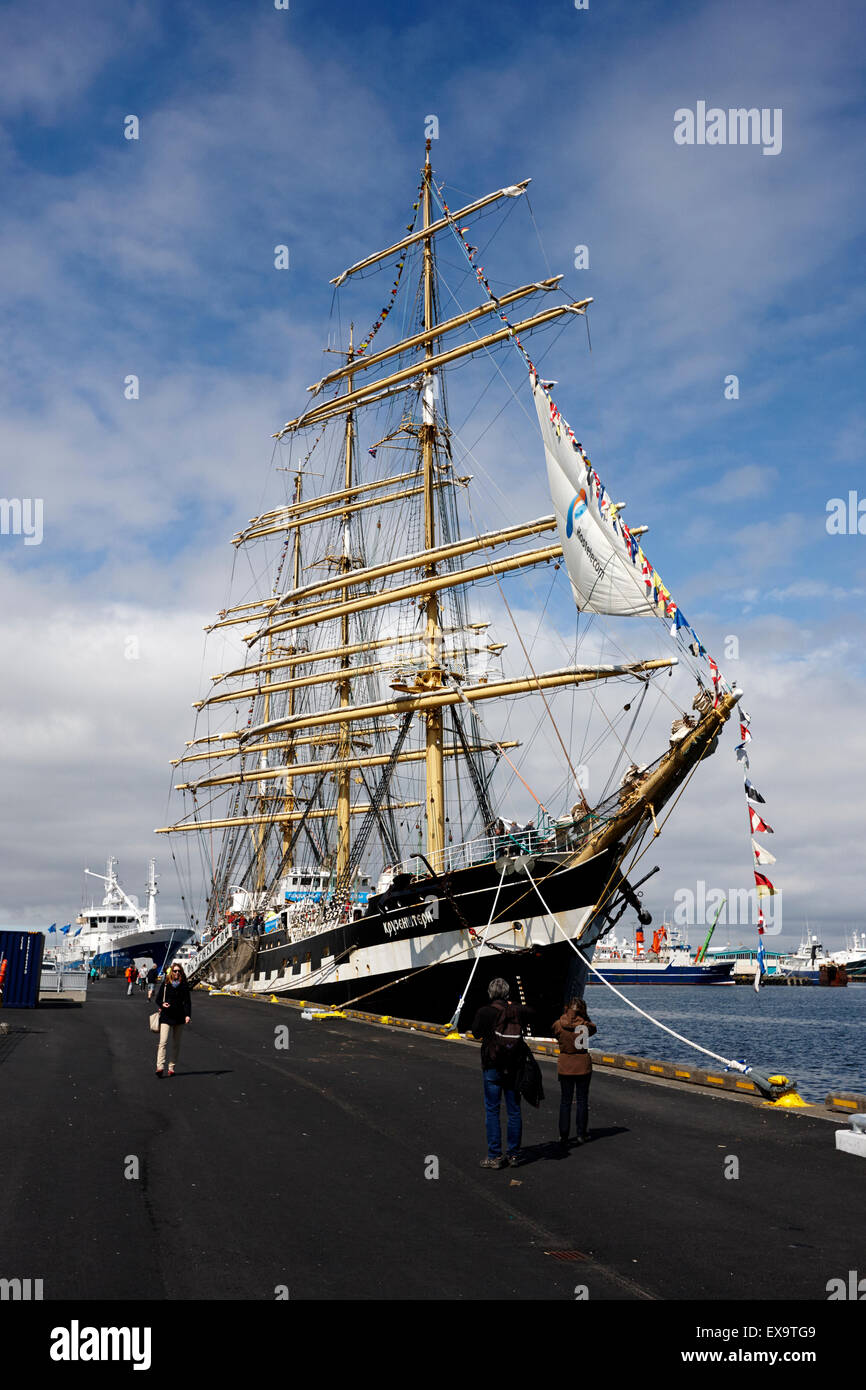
(305, 127)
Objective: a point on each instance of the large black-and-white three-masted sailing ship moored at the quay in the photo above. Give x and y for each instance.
(354, 774)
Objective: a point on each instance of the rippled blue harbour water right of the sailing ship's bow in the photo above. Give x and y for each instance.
(817, 1038)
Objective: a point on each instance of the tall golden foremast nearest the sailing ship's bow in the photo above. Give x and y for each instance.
(433, 718)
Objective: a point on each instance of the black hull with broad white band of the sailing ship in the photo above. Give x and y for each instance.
(414, 951)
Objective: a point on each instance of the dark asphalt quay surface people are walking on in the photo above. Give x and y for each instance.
(338, 1159)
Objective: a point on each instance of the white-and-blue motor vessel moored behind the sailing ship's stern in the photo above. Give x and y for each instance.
(115, 933)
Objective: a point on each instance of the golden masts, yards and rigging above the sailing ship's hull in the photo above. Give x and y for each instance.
(362, 708)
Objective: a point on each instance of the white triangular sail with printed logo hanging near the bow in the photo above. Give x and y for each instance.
(604, 559)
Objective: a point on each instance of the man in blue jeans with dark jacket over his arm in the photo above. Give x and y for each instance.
(501, 1025)
